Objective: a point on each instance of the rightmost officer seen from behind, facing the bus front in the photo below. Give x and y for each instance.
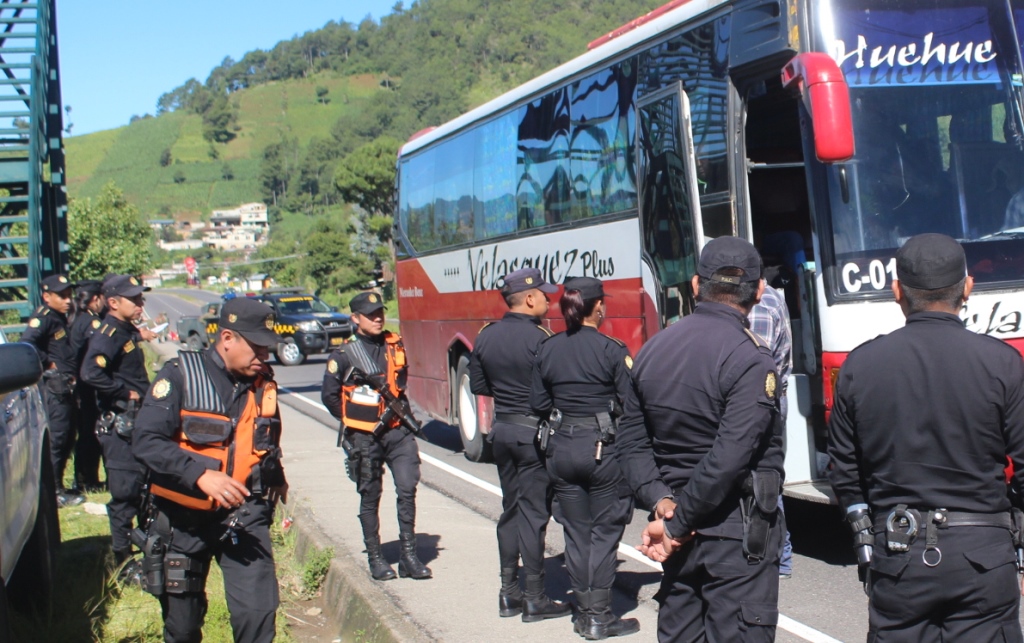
(919, 437)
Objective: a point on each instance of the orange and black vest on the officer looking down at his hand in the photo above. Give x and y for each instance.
(214, 439)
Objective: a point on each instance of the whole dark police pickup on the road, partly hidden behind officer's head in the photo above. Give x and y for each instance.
(308, 325)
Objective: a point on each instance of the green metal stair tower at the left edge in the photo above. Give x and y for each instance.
(33, 196)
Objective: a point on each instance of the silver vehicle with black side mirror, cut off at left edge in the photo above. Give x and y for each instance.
(30, 532)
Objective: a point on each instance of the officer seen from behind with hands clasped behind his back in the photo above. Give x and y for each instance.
(702, 446)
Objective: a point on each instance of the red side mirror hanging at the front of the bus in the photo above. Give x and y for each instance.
(827, 99)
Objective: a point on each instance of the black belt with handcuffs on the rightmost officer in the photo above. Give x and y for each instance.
(903, 525)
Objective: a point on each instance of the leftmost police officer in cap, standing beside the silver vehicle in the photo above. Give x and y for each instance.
(49, 332)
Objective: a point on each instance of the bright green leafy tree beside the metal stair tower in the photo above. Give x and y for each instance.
(107, 235)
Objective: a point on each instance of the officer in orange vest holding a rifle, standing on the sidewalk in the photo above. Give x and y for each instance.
(368, 447)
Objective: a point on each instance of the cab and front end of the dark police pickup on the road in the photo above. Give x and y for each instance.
(309, 326)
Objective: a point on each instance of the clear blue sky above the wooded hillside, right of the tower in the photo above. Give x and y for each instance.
(118, 57)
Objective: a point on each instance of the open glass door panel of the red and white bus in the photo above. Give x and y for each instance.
(671, 229)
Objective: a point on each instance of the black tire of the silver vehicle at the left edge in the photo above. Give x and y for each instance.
(35, 575)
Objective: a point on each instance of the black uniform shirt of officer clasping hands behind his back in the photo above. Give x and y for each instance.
(700, 417)
